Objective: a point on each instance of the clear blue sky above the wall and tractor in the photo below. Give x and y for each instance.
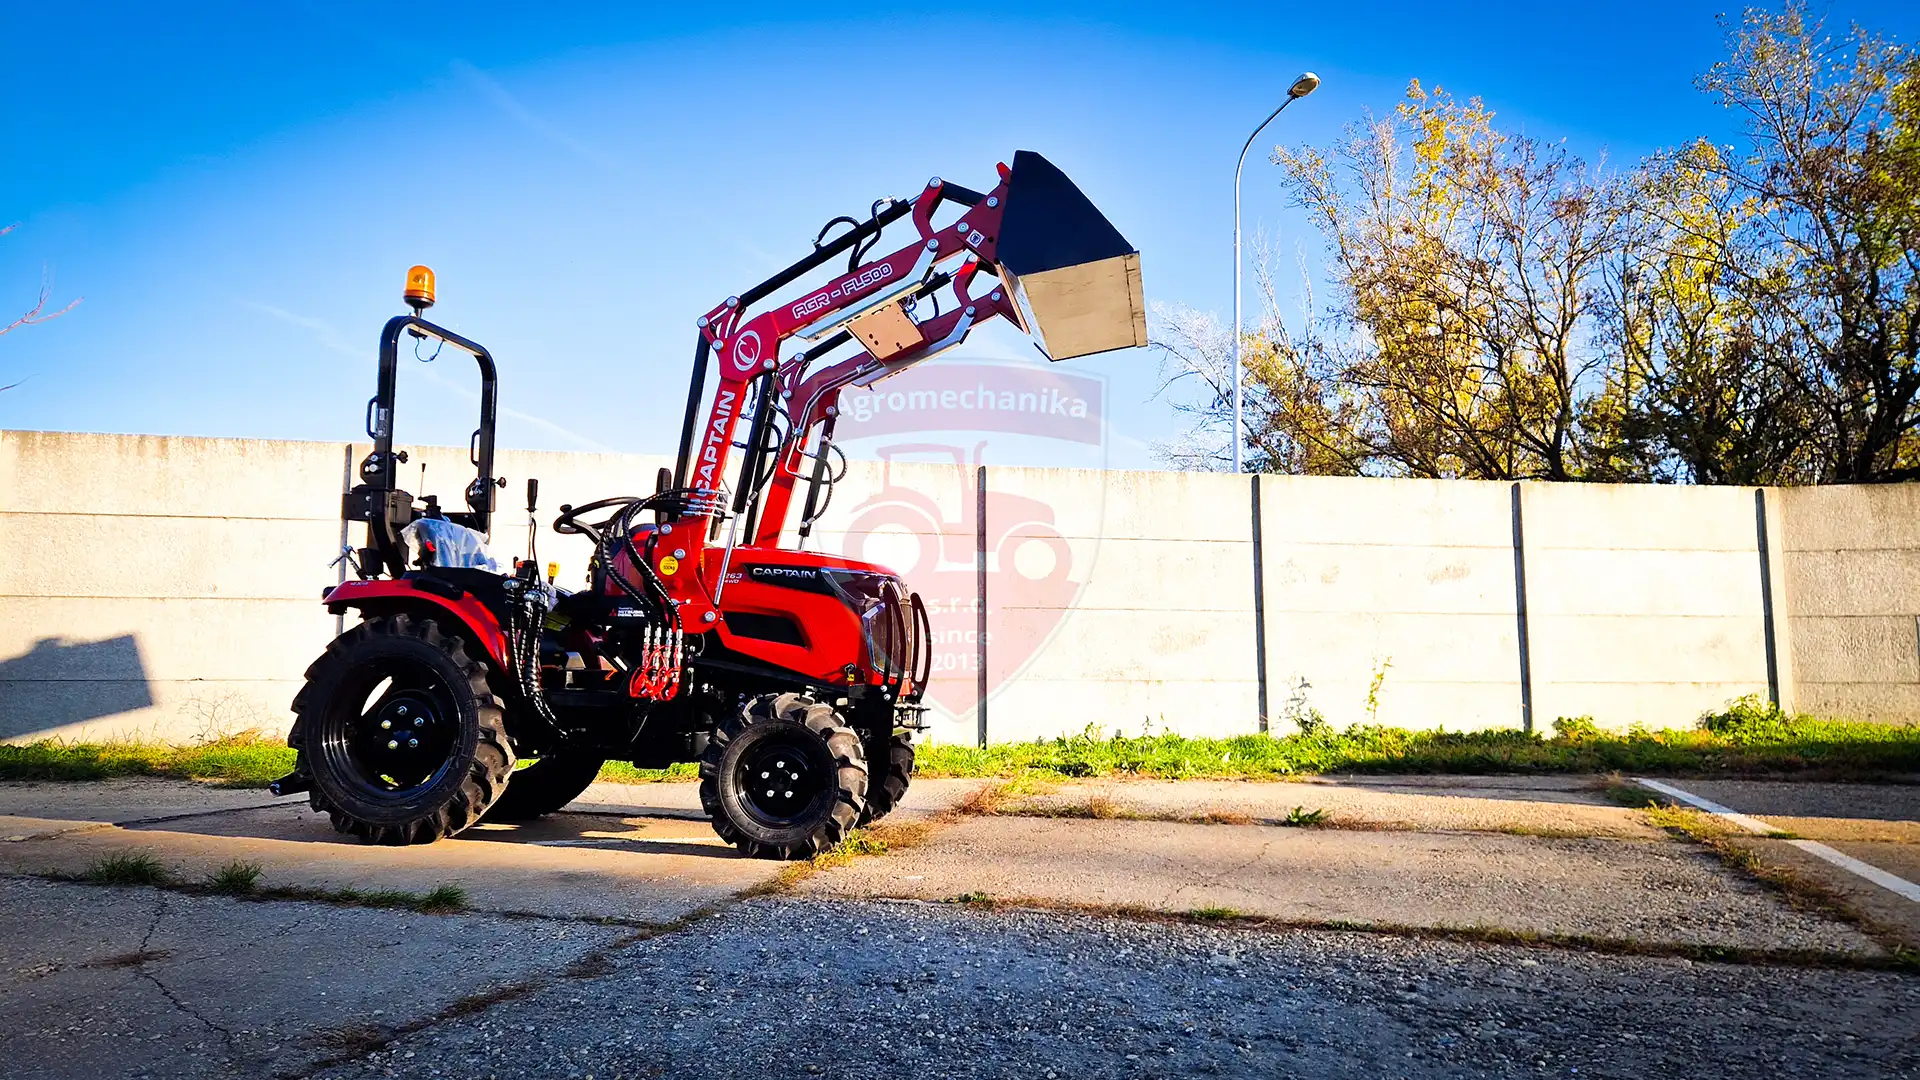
(237, 191)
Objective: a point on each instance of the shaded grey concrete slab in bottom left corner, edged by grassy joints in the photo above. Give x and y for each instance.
(147, 983)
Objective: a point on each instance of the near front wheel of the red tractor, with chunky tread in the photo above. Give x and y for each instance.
(784, 777)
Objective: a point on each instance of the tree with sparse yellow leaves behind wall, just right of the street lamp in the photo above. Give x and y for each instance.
(1464, 272)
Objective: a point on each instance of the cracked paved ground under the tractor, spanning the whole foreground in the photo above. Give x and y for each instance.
(694, 981)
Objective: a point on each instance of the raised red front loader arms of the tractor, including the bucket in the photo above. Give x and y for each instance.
(1065, 276)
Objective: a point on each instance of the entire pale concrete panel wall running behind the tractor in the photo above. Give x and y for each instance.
(168, 587)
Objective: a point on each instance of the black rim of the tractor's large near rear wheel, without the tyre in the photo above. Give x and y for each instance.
(400, 741)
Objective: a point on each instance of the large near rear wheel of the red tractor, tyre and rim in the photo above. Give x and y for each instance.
(427, 756)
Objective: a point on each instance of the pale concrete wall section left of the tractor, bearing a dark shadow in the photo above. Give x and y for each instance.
(160, 585)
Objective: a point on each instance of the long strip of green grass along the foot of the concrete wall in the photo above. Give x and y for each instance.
(1748, 739)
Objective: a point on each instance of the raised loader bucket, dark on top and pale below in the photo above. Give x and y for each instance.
(1074, 278)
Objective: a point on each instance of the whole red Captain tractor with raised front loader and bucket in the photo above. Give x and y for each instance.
(794, 679)
